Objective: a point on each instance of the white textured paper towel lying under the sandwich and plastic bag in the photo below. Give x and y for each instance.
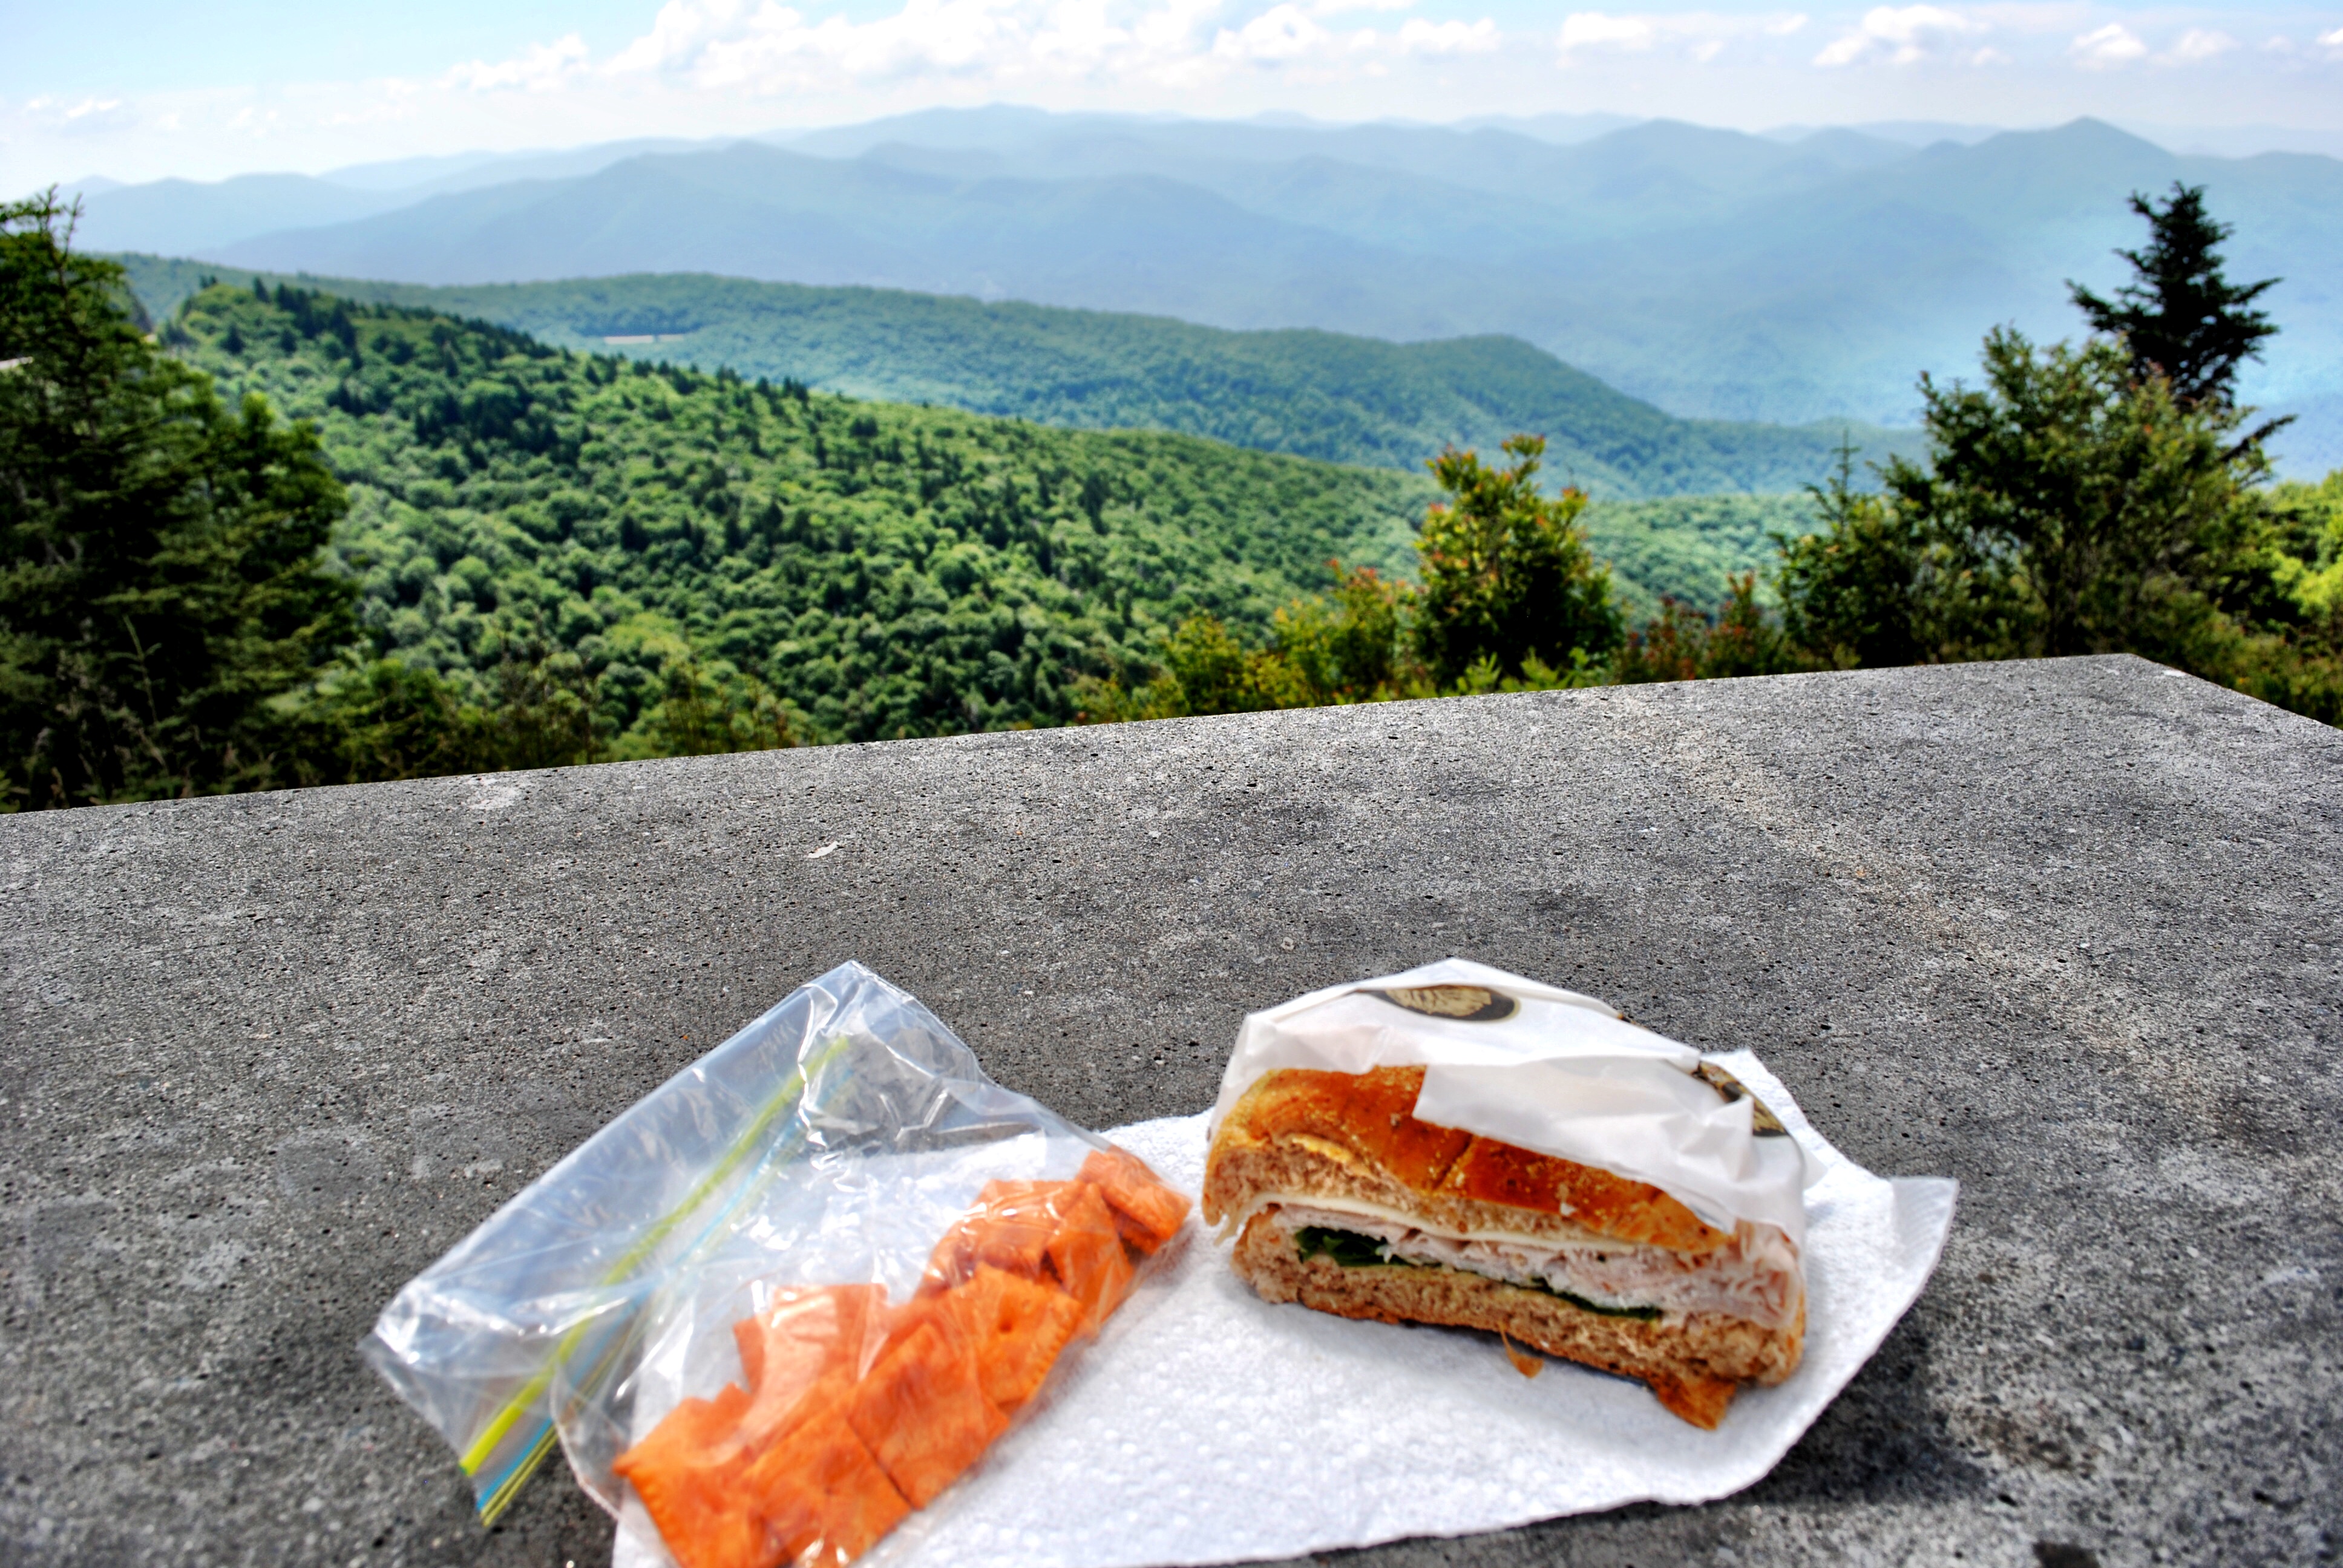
(1210, 1426)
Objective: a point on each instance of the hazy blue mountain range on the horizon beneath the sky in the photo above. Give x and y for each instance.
(1712, 273)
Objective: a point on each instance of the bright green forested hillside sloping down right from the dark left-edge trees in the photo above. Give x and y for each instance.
(887, 571)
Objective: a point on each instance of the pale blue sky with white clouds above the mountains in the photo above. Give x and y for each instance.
(142, 90)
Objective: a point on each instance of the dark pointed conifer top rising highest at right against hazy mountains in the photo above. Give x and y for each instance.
(2180, 318)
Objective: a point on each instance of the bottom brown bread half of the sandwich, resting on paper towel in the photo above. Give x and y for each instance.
(1693, 1363)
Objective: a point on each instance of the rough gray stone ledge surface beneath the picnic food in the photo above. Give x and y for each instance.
(2065, 932)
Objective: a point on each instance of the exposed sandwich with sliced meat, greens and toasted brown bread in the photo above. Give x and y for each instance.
(1351, 1206)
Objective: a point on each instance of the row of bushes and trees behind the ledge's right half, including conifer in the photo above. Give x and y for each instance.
(2084, 498)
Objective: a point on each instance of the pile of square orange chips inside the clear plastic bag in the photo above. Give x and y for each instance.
(859, 1412)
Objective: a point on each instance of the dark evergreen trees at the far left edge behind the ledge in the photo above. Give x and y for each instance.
(160, 578)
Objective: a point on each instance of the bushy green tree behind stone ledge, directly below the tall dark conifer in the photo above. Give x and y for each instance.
(2068, 507)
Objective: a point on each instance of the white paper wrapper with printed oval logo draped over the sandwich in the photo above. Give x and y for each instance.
(1548, 1070)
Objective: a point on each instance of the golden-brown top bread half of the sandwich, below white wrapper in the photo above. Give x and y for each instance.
(1355, 1136)
